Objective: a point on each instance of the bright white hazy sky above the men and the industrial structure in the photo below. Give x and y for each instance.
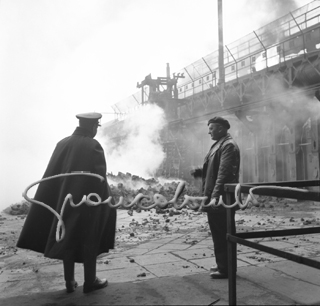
(64, 57)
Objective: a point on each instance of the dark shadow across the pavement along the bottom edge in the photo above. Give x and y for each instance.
(197, 289)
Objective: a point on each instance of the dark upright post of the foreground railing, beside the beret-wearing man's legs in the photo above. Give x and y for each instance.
(232, 255)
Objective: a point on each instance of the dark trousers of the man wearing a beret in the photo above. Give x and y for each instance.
(218, 227)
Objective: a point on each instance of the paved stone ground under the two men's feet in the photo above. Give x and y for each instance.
(171, 269)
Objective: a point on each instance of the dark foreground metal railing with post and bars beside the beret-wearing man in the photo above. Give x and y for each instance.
(233, 237)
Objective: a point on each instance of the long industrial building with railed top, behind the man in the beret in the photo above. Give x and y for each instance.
(270, 94)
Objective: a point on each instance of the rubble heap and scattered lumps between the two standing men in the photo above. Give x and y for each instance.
(154, 223)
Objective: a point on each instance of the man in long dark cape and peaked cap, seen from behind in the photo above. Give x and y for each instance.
(89, 230)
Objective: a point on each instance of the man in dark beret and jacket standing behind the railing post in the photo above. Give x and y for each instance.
(221, 166)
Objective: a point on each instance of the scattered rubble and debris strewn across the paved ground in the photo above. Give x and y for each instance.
(271, 214)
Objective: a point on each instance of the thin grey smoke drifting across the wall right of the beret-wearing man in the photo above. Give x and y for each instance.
(284, 108)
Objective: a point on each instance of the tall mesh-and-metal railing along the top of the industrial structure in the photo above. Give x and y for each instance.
(274, 43)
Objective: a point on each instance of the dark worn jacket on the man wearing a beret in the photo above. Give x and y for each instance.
(221, 166)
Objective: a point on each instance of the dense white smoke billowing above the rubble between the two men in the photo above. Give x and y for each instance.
(139, 151)
